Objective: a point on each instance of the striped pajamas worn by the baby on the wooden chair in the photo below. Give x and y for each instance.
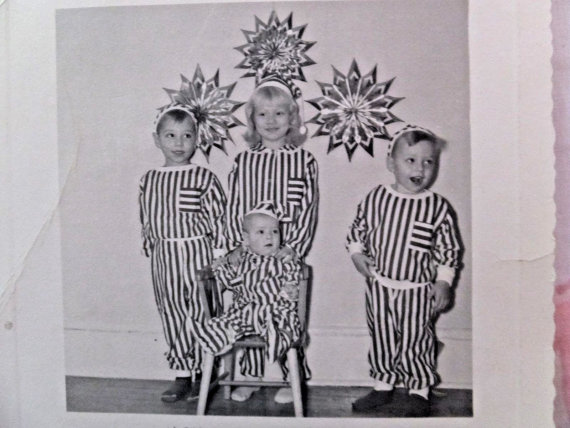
(257, 308)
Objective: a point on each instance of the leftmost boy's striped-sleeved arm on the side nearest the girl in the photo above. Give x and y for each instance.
(215, 210)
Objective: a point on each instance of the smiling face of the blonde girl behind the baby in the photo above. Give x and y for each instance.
(271, 119)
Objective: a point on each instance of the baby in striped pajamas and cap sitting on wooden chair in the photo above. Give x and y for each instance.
(265, 291)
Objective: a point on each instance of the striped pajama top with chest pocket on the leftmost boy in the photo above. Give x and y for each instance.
(182, 202)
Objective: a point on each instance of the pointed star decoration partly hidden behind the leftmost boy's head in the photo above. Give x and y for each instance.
(212, 109)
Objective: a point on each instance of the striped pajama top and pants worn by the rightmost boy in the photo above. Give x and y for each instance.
(407, 237)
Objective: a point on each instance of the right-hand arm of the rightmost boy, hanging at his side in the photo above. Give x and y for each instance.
(447, 256)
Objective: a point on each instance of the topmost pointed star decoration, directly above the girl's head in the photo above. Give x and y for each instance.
(275, 48)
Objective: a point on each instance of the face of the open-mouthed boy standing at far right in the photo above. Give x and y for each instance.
(414, 167)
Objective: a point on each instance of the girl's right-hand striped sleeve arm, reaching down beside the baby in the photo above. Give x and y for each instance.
(300, 237)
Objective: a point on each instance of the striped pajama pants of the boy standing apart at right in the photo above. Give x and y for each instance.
(403, 335)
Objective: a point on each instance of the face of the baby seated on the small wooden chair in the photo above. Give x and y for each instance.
(261, 234)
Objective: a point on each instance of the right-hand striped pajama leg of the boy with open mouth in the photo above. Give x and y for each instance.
(417, 367)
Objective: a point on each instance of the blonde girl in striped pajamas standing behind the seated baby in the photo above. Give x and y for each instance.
(275, 168)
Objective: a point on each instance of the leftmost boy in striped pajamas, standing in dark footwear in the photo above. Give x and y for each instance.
(182, 210)
